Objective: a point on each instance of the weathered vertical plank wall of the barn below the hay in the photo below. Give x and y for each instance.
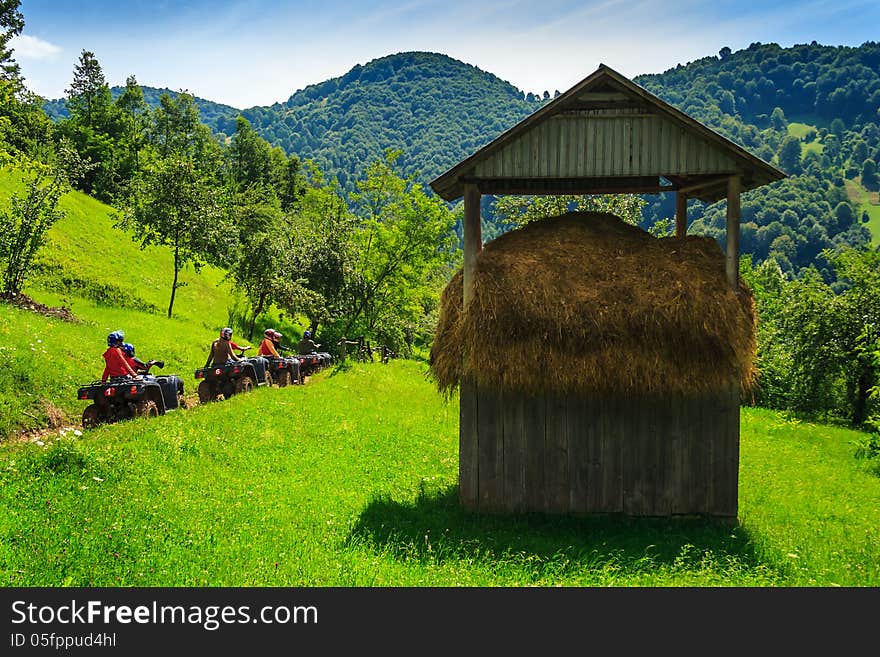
(659, 456)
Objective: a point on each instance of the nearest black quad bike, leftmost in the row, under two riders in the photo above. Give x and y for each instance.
(124, 397)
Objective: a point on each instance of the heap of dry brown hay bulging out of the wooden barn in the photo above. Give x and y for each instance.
(586, 303)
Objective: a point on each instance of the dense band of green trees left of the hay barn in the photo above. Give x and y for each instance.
(369, 263)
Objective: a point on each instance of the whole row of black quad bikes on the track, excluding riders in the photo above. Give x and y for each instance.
(121, 398)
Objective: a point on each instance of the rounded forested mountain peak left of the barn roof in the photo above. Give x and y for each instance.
(434, 108)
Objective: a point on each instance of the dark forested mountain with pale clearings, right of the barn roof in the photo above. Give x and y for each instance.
(750, 96)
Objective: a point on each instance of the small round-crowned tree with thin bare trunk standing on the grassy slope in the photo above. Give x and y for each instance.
(174, 205)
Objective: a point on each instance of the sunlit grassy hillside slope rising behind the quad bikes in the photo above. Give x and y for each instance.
(93, 268)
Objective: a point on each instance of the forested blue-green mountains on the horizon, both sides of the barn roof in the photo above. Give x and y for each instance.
(810, 109)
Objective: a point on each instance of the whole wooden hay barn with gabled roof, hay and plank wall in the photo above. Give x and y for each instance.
(600, 368)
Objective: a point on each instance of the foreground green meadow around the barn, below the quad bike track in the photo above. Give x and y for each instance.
(351, 481)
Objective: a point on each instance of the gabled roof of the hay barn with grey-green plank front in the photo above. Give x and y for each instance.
(607, 135)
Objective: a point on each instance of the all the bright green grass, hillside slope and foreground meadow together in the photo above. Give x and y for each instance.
(350, 480)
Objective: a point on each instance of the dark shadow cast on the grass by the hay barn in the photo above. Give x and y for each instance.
(435, 528)
